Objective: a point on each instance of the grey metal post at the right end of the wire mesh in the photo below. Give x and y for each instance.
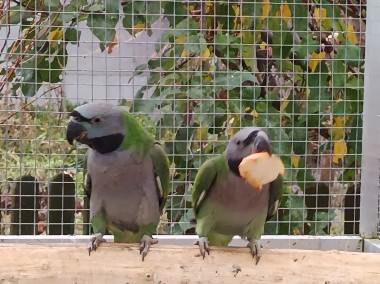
(369, 204)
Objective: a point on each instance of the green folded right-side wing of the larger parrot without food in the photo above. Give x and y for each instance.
(161, 172)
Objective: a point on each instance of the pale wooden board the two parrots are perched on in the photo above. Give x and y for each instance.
(121, 263)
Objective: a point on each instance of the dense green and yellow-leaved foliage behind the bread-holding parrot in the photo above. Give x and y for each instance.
(294, 69)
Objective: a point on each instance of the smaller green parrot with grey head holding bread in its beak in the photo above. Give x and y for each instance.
(226, 205)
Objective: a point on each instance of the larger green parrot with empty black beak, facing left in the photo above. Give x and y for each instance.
(128, 174)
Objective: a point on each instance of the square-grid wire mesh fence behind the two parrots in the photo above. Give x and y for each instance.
(193, 73)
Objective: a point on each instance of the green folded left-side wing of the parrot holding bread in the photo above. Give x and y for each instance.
(203, 181)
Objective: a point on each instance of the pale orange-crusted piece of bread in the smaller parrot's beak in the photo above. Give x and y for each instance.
(260, 168)
